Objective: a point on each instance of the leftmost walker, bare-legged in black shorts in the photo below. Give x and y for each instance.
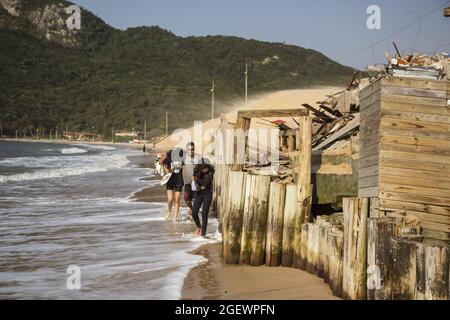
(173, 164)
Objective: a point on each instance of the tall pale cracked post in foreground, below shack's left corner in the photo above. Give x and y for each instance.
(356, 212)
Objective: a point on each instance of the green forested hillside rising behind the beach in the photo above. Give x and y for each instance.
(119, 78)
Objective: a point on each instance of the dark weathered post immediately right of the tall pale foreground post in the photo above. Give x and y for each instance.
(379, 284)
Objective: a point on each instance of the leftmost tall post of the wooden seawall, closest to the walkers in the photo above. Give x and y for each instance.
(233, 218)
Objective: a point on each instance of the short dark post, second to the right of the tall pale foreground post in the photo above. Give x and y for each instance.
(403, 269)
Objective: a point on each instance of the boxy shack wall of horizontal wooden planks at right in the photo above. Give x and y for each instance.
(404, 157)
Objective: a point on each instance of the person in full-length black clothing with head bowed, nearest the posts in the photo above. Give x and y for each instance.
(203, 176)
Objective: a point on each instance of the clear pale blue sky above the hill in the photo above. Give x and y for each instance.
(335, 28)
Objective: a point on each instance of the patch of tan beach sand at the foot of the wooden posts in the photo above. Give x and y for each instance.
(214, 280)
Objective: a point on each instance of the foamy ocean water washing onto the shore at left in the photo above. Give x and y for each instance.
(67, 212)
